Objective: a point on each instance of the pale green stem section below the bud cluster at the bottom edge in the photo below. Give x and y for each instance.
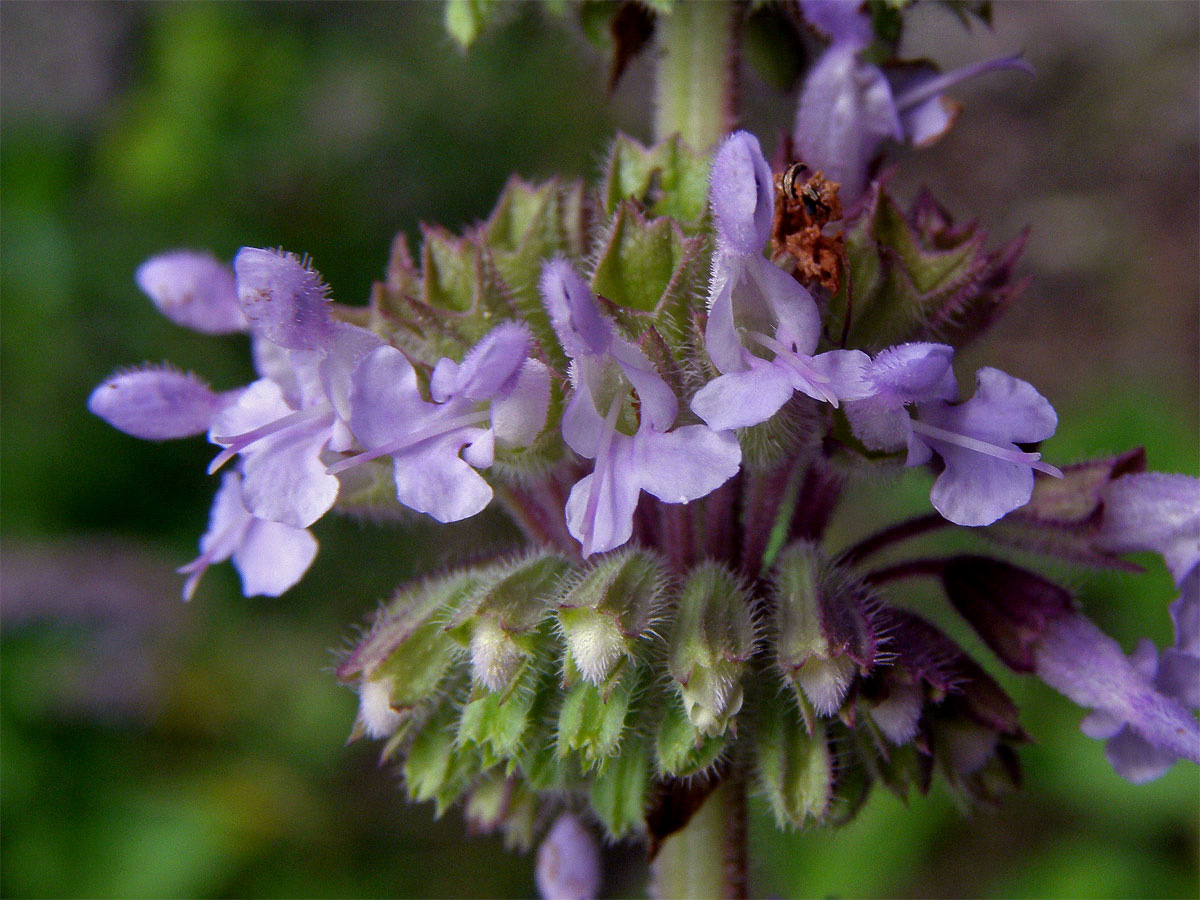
(707, 859)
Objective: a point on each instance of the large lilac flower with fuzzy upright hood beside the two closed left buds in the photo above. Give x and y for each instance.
(284, 423)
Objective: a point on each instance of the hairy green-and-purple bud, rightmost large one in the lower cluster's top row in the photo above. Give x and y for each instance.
(825, 635)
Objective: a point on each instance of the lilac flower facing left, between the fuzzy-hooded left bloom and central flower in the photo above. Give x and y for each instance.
(496, 395)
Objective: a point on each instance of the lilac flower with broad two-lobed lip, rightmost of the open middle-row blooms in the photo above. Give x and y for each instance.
(986, 475)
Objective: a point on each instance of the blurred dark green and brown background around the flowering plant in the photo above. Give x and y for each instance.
(154, 749)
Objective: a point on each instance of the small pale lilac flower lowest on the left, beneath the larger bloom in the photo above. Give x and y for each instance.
(271, 557)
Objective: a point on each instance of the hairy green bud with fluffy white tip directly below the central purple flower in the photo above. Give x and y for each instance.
(609, 611)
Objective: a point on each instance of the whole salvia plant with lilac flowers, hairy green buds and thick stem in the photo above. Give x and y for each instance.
(667, 379)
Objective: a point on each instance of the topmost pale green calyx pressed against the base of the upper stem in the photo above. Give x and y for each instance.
(668, 179)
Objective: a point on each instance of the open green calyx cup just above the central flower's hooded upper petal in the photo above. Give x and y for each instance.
(649, 266)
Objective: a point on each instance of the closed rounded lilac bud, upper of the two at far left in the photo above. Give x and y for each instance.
(193, 290)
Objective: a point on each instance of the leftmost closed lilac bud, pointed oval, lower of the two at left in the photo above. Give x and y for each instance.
(158, 403)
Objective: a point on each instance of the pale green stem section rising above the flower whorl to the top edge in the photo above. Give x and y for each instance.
(698, 73)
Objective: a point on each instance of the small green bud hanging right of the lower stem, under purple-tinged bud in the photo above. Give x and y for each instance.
(794, 767)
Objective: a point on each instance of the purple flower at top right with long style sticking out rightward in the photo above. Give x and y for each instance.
(849, 109)
